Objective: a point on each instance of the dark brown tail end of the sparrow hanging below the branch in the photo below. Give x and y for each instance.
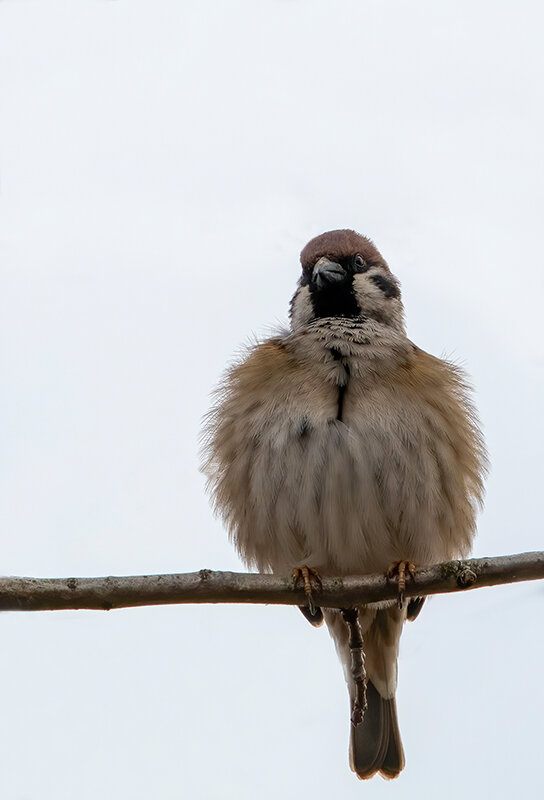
(375, 744)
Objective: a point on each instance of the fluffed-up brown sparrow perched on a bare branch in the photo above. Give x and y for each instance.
(338, 447)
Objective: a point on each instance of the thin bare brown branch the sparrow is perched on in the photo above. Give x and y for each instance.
(205, 586)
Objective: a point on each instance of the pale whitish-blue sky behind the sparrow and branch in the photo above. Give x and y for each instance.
(162, 163)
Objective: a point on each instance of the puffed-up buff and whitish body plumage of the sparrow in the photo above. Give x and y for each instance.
(399, 477)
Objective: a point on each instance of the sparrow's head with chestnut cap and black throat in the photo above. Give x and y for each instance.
(344, 275)
